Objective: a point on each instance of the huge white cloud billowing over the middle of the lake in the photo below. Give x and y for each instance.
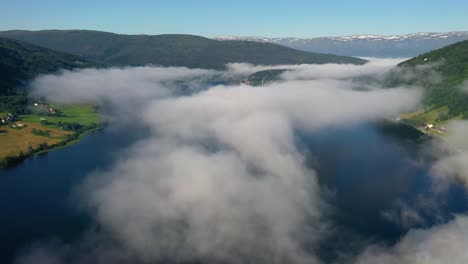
(230, 171)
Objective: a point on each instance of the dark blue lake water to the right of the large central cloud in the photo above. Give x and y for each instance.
(376, 174)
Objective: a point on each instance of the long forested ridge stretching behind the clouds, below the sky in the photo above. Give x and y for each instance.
(169, 50)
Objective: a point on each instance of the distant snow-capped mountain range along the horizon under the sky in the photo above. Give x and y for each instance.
(367, 45)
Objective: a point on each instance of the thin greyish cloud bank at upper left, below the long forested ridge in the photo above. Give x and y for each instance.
(122, 93)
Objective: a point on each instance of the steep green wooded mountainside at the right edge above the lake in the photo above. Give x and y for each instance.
(451, 91)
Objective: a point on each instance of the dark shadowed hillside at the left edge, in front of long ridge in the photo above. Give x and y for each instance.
(20, 62)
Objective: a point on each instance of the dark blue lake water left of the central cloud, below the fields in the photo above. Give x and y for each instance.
(35, 197)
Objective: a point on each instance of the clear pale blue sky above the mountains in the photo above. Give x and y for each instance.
(209, 18)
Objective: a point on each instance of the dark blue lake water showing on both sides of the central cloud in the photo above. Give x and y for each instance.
(371, 169)
